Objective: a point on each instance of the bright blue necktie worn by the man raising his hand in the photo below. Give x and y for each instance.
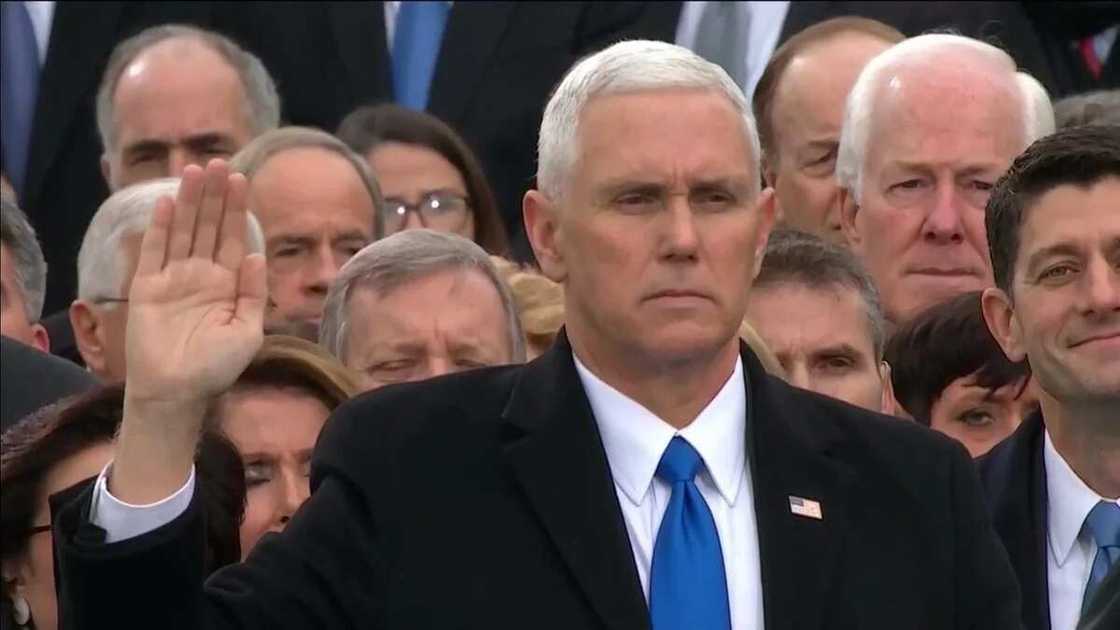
(688, 587)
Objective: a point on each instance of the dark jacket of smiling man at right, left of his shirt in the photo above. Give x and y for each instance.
(1014, 478)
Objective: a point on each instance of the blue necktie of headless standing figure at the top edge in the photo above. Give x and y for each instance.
(416, 48)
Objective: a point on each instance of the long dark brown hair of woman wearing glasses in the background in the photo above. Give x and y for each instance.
(371, 126)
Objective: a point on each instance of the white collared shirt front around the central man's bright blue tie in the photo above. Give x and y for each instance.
(636, 439)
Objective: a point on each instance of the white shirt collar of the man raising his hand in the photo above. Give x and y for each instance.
(636, 439)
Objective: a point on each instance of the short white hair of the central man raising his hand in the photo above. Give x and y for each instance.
(623, 69)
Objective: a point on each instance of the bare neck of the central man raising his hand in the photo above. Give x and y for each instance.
(676, 392)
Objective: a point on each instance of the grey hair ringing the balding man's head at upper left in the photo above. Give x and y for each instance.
(263, 101)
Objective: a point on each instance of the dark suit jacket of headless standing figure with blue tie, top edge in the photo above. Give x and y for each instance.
(498, 64)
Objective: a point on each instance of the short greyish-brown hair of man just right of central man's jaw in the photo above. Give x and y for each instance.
(800, 258)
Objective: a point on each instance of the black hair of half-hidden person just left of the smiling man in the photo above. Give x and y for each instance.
(946, 342)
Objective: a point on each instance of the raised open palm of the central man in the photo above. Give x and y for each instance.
(198, 301)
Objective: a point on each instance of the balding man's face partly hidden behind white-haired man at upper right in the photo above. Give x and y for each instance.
(807, 116)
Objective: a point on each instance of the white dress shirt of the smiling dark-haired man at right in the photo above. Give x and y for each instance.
(1072, 551)
